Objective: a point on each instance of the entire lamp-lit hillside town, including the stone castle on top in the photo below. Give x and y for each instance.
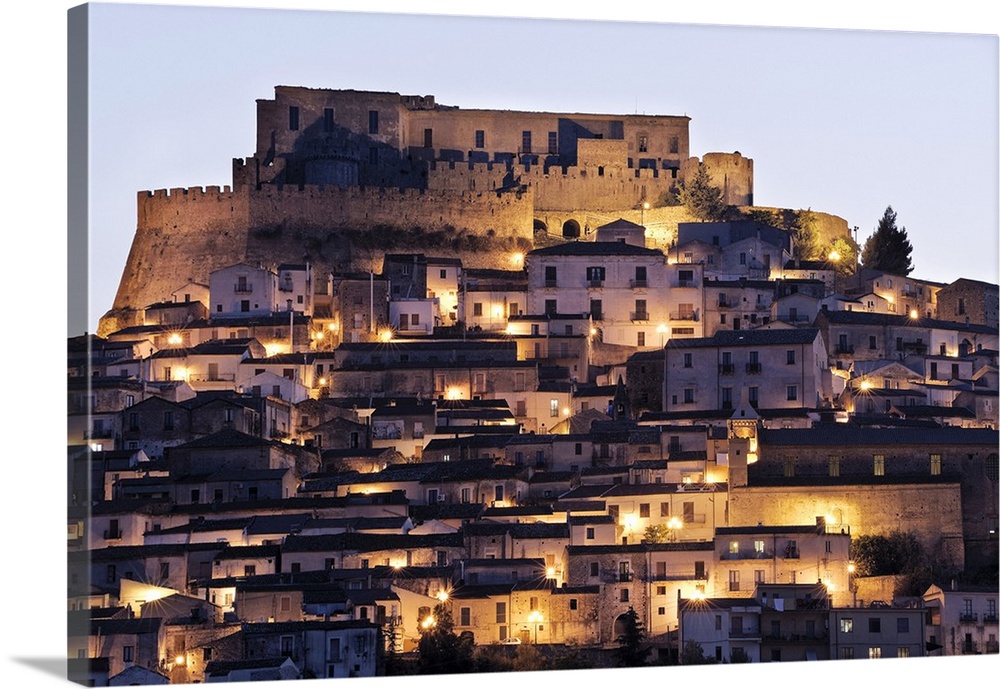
(613, 428)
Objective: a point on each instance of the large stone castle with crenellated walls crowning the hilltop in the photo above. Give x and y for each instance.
(477, 184)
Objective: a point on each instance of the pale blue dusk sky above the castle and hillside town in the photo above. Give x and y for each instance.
(844, 122)
